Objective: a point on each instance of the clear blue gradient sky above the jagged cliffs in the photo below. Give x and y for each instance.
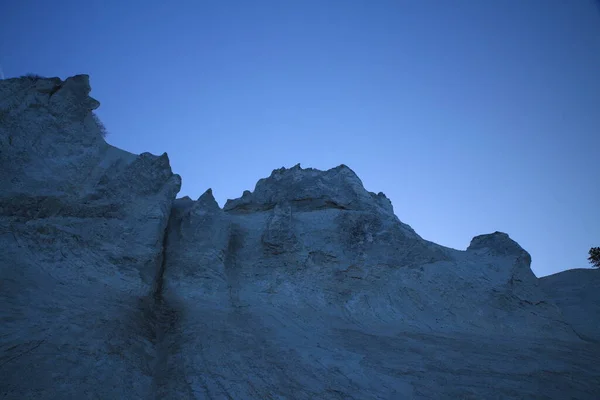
(472, 116)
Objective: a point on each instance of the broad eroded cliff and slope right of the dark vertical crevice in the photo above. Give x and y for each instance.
(310, 287)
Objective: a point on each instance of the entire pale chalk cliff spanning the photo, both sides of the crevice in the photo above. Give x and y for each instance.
(308, 287)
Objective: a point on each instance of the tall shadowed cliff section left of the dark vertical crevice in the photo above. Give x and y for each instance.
(81, 232)
